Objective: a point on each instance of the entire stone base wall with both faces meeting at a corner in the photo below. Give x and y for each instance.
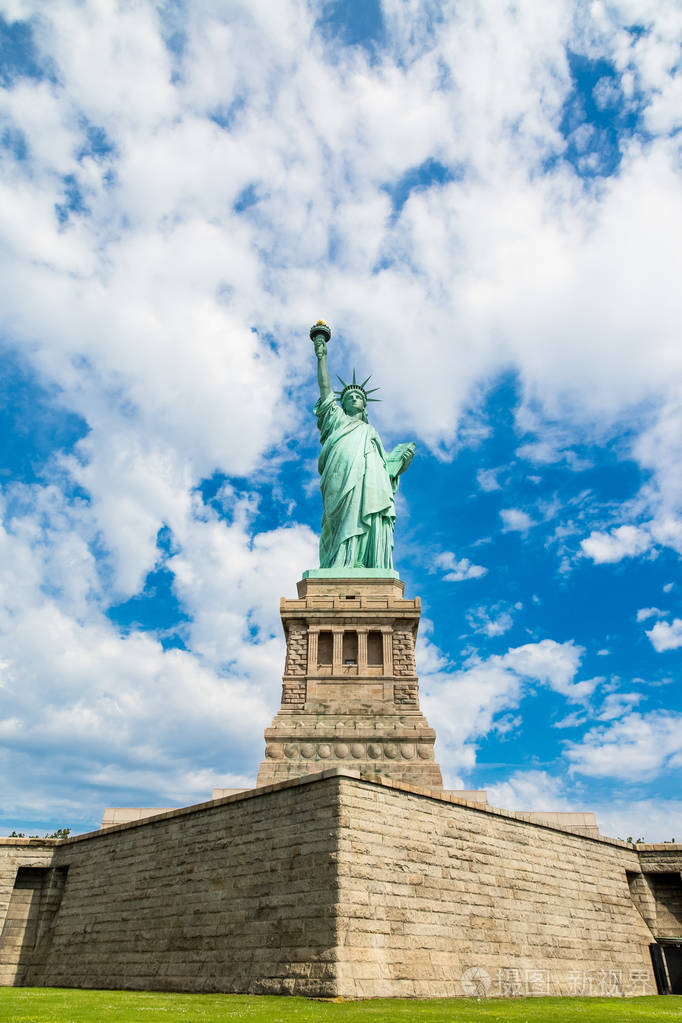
(339, 885)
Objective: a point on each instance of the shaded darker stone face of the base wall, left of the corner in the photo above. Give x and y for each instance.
(239, 897)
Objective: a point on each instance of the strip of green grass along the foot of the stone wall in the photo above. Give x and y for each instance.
(53, 1005)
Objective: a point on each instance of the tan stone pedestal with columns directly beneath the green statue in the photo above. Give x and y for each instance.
(350, 690)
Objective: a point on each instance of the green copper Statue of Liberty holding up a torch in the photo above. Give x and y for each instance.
(358, 479)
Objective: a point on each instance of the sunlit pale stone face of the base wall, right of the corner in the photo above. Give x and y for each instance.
(439, 899)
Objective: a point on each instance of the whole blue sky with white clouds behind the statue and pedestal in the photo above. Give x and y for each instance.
(485, 202)
